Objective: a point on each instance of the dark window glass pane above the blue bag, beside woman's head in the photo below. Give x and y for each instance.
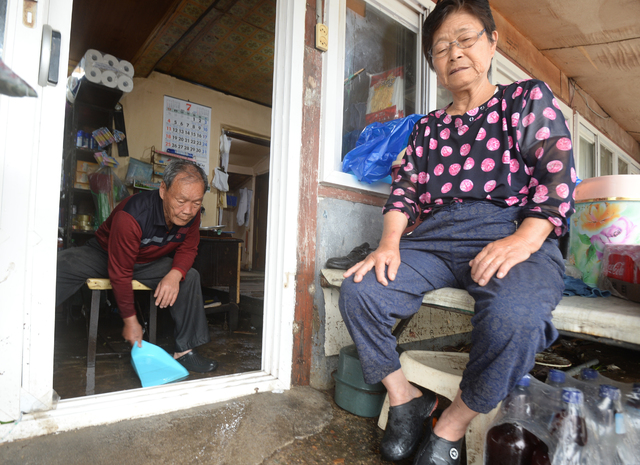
(379, 72)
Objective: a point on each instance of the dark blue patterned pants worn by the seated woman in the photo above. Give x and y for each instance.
(512, 320)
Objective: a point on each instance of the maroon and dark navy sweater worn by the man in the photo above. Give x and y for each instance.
(136, 232)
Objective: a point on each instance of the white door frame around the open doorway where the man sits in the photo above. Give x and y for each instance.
(28, 269)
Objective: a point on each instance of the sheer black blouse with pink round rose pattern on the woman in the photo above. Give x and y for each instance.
(514, 151)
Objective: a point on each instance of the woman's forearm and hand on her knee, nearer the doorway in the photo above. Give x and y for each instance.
(387, 253)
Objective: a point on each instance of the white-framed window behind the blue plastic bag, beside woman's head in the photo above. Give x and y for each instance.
(374, 70)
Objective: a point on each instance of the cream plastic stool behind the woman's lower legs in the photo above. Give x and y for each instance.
(441, 372)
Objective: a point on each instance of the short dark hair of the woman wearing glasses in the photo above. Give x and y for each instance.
(478, 8)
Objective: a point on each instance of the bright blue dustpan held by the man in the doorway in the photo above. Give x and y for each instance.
(155, 366)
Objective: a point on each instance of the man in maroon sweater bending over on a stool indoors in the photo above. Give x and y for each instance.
(151, 237)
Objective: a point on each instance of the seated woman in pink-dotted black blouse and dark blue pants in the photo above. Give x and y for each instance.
(485, 188)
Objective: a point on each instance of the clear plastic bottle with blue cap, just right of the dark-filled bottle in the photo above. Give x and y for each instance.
(569, 428)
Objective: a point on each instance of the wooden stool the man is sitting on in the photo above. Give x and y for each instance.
(101, 284)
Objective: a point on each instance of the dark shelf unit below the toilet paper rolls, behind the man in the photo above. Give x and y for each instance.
(93, 108)
